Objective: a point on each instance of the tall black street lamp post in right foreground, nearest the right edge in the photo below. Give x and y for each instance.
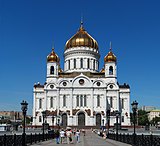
(134, 109)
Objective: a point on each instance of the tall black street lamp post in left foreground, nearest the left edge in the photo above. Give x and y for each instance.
(24, 105)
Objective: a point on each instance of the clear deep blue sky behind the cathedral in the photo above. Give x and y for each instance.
(28, 29)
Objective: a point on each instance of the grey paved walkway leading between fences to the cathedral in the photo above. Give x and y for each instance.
(91, 139)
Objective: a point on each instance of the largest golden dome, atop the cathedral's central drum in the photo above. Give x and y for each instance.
(81, 38)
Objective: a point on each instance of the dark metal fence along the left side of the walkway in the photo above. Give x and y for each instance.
(16, 140)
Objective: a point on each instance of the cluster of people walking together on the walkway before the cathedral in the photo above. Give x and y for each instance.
(67, 135)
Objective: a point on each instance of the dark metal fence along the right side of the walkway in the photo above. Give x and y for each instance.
(137, 140)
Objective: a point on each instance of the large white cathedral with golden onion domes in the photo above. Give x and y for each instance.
(81, 94)
